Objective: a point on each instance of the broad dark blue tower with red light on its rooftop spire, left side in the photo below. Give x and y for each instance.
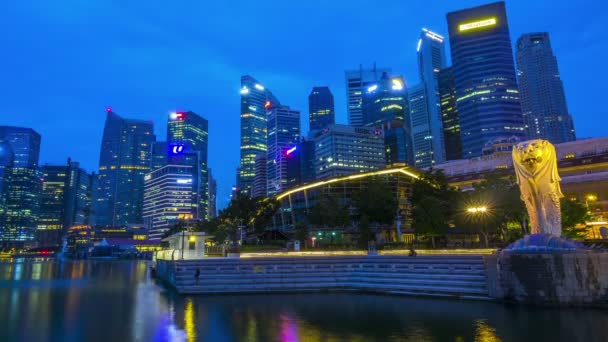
(124, 160)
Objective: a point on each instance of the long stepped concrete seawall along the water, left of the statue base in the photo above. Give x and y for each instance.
(456, 276)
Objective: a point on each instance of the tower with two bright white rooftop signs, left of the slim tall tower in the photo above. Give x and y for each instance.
(386, 108)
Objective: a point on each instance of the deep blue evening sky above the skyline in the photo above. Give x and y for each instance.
(63, 62)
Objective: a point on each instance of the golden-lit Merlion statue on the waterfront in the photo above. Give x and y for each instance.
(535, 164)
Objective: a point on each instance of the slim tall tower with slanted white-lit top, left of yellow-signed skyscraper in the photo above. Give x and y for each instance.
(427, 126)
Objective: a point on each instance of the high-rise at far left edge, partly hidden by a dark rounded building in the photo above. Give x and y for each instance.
(22, 186)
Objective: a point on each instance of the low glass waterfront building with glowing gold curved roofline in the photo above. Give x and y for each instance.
(296, 202)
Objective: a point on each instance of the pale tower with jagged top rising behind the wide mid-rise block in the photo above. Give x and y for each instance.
(357, 83)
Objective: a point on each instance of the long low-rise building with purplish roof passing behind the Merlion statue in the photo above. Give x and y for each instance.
(581, 165)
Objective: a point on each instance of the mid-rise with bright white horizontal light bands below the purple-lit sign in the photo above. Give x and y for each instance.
(170, 195)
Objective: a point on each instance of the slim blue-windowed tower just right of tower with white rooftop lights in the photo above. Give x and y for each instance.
(283, 132)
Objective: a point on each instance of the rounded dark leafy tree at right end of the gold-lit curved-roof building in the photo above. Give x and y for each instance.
(432, 204)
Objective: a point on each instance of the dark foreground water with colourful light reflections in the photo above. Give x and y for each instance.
(117, 301)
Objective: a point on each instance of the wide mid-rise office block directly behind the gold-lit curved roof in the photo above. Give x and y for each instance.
(343, 150)
